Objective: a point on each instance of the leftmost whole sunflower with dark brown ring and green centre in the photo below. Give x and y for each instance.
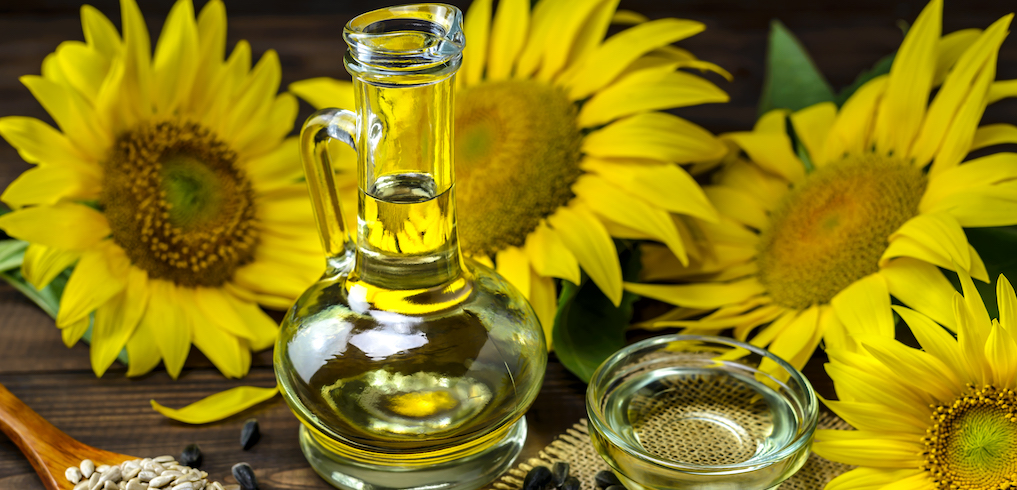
(171, 189)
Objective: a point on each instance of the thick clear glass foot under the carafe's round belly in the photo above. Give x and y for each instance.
(469, 472)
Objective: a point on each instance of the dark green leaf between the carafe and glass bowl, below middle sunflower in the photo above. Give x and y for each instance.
(588, 329)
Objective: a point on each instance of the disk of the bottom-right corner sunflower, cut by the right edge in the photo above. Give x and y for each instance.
(973, 443)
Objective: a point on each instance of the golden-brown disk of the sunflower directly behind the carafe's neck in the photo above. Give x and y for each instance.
(517, 157)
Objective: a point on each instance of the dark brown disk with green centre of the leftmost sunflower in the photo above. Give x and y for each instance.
(178, 206)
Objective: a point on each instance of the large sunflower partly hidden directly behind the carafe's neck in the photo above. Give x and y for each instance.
(560, 146)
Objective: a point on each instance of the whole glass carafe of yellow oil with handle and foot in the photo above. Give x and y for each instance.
(409, 366)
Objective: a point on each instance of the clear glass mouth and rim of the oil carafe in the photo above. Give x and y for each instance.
(406, 39)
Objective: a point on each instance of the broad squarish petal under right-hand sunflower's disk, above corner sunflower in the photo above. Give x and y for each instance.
(864, 308)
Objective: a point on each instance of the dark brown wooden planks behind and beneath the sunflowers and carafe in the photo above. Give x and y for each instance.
(113, 413)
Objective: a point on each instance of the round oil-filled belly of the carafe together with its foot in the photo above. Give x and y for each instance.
(408, 389)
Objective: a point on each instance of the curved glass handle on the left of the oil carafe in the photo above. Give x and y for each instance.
(321, 129)
